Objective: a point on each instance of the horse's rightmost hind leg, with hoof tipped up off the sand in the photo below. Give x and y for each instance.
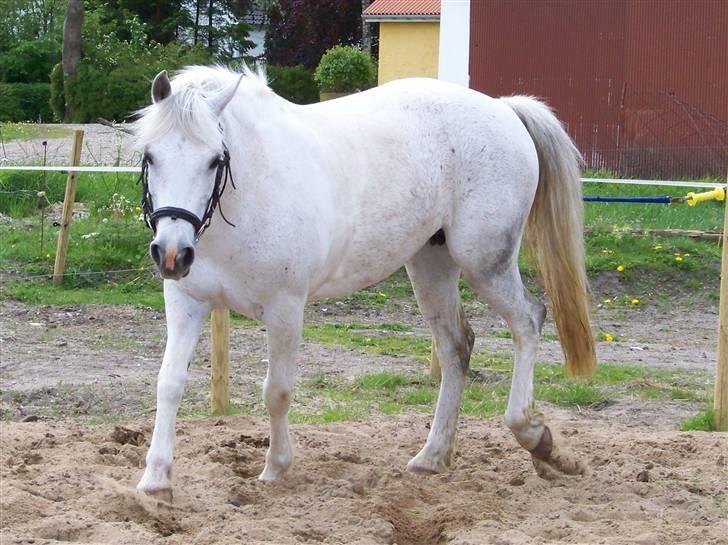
(503, 289)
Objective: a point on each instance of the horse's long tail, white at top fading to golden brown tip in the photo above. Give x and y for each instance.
(555, 231)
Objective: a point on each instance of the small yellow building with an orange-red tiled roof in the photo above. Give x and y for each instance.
(409, 37)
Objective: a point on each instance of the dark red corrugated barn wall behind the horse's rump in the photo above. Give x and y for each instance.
(642, 85)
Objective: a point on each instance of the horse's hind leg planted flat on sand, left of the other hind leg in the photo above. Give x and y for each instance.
(434, 277)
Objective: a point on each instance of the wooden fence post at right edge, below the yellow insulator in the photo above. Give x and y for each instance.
(720, 400)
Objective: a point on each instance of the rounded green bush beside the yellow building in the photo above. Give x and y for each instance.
(345, 68)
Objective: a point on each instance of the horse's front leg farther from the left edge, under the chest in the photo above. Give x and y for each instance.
(284, 322)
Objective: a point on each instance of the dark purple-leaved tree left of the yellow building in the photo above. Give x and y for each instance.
(301, 31)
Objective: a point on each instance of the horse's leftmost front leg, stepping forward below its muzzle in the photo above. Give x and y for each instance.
(184, 323)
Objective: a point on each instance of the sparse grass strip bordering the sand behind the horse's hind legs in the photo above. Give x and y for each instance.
(332, 398)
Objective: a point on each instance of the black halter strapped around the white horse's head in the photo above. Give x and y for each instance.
(151, 216)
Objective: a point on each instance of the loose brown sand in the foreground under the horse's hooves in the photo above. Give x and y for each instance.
(65, 482)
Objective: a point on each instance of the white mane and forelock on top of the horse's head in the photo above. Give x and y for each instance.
(187, 108)
